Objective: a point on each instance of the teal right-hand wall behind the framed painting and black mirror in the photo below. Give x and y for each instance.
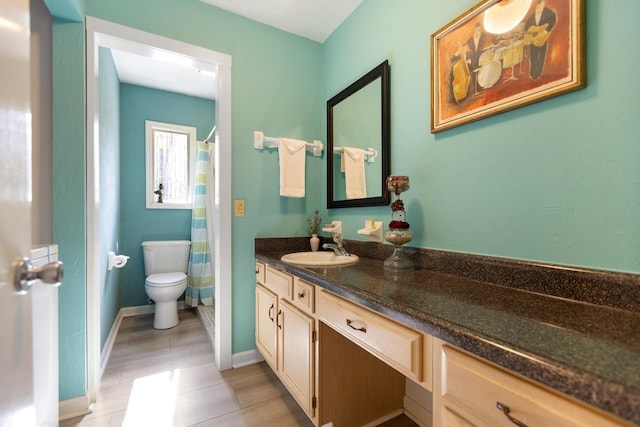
(557, 181)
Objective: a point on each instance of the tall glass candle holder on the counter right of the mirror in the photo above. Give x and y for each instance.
(398, 232)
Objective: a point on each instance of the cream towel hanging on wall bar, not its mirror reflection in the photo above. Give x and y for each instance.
(292, 155)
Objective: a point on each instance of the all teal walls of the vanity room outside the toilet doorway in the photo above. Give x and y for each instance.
(556, 181)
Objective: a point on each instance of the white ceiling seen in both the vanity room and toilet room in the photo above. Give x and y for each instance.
(312, 19)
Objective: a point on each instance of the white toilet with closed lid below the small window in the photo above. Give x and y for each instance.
(165, 265)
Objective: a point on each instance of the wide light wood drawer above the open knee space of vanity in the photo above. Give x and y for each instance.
(391, 342)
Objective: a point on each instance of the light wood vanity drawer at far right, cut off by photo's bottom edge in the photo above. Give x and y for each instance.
(472, 388)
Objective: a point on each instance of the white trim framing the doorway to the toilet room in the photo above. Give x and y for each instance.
(110, 35)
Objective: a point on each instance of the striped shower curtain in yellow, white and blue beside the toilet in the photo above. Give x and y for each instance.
(200, 273)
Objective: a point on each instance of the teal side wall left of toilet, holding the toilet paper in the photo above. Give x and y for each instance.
(109, 212)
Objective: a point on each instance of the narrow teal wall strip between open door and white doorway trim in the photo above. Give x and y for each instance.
(69, 201)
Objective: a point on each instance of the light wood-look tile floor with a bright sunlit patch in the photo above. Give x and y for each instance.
(169, 378)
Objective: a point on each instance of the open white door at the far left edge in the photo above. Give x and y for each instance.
(16, 369)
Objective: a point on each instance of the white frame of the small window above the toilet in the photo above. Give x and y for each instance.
(191, 132)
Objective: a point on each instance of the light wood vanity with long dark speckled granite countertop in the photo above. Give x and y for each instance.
(357, 346)
